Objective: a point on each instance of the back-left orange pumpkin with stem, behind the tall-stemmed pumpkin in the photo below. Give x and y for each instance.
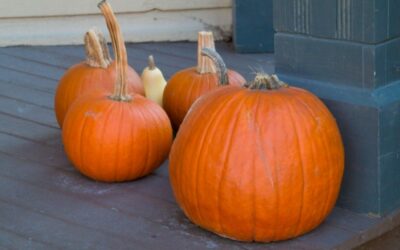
(96, 72)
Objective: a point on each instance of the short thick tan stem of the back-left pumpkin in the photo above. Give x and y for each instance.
(97, 54)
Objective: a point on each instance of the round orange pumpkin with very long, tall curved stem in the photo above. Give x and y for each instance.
(115, 136)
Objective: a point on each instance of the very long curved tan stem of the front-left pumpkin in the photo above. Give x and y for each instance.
(120, 87)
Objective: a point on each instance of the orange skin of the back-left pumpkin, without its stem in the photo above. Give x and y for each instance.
(81, 79)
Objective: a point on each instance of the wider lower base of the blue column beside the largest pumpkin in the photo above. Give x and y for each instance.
(369, 121)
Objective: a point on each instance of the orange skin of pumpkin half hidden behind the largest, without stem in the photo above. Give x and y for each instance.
(186, 86)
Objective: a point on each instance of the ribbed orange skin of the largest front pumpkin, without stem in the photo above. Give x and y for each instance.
(257, 165)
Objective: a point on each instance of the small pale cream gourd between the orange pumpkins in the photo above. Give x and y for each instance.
(153, 82)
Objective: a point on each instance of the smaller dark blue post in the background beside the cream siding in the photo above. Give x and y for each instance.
(253, 26)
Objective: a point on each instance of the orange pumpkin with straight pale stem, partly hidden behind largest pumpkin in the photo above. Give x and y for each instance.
(187, 85)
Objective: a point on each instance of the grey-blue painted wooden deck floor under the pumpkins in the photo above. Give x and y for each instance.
(46, 204)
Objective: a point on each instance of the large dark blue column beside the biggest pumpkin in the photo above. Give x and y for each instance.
(348, 53)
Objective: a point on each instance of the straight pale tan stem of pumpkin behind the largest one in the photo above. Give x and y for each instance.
(204, 64)
